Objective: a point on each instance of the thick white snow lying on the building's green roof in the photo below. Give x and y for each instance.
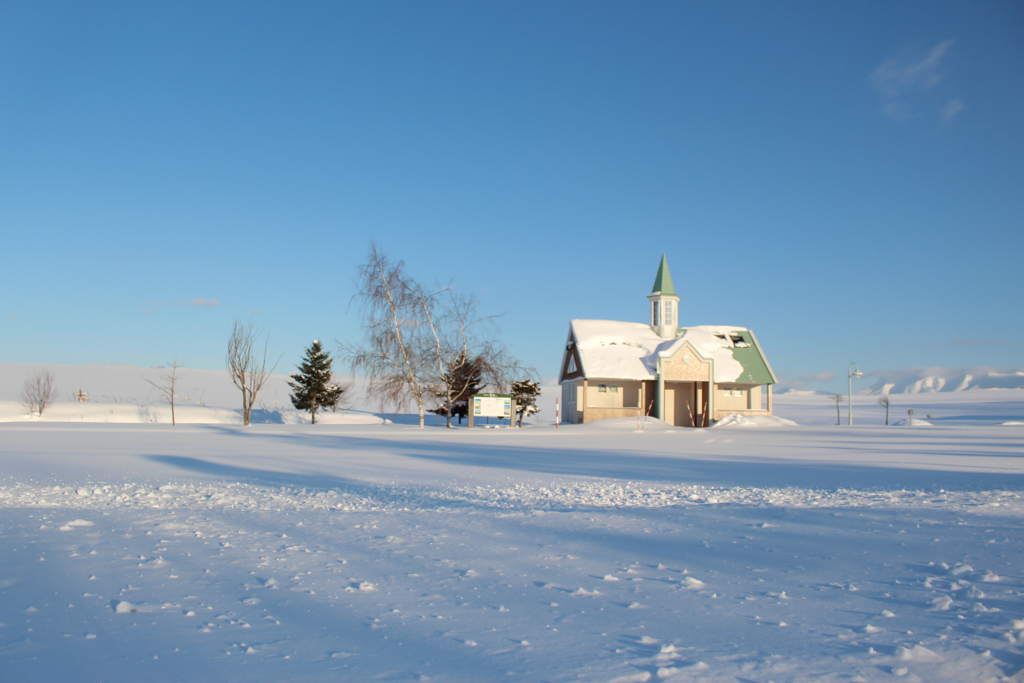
(630, 351)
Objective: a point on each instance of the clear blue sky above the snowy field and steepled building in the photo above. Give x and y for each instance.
(845, 180)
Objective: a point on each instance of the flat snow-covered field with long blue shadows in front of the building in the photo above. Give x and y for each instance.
(290, 552)
